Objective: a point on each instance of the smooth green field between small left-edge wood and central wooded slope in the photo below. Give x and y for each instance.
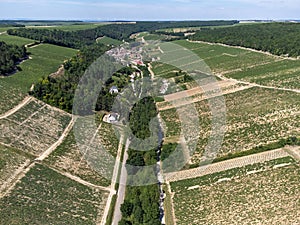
(45, 59)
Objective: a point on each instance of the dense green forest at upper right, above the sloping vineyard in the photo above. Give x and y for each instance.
(276, 38)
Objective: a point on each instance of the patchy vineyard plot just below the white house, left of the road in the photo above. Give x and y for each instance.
(72, 156)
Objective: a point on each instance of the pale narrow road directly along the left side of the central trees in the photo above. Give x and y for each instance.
(122, 188)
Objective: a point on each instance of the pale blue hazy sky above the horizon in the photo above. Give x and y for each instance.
(150, 9)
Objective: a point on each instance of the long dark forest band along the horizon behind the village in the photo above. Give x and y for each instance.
(78, 39)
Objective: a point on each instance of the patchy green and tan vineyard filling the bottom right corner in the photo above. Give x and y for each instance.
(265, 193)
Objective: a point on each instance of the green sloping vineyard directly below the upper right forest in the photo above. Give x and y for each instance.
(247, 65)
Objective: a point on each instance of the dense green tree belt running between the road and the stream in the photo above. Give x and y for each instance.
(141, 204)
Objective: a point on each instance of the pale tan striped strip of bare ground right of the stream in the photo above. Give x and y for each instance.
(226, 165)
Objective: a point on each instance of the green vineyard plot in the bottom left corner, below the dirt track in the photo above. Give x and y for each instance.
(44, 196)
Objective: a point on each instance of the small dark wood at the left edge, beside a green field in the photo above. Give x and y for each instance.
(10, 57)
